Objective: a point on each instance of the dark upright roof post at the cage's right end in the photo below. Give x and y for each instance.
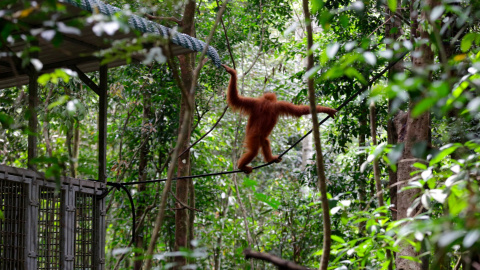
(102, 124)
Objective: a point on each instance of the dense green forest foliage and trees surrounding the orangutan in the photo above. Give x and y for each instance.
(427, 111)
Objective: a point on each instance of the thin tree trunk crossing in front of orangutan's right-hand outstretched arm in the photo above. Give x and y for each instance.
(322, 181)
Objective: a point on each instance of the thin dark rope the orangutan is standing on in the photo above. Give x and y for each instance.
(348, 100)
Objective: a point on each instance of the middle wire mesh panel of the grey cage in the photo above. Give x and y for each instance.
(49, 229)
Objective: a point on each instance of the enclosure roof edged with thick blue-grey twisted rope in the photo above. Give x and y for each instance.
(78, 49)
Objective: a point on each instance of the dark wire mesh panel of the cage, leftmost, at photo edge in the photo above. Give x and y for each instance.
(12, 226)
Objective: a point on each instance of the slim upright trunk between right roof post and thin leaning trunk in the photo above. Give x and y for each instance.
(142, 174)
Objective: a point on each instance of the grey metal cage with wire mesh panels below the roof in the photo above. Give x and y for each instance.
(44, 227)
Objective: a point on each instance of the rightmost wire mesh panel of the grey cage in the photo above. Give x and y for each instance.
(84, 230)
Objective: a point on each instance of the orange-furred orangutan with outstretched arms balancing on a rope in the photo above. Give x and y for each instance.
(263, 116)
